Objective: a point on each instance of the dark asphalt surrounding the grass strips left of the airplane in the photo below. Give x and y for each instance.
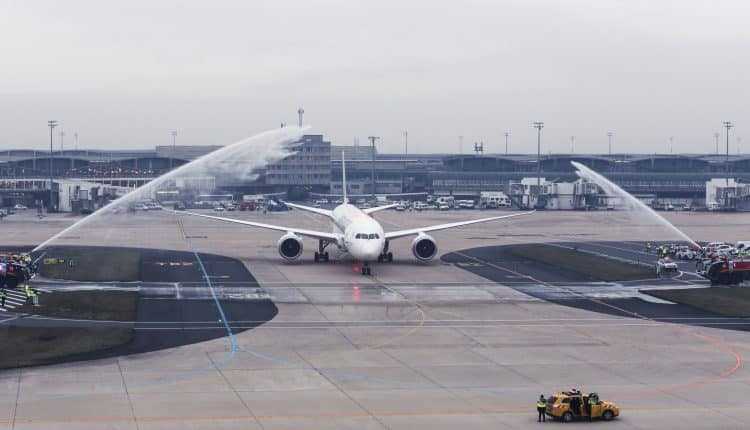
(178, 303)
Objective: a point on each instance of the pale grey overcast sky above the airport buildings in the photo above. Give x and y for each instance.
(123, 74)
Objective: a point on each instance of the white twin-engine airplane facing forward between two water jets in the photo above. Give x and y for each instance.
(355, 232)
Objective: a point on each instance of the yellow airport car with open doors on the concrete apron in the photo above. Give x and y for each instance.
(569, 406)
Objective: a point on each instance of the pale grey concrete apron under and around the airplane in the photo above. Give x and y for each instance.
(436, 346)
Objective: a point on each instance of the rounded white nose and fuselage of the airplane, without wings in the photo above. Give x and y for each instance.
(362, 236)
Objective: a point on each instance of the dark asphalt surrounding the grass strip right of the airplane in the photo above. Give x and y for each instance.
(564, 287)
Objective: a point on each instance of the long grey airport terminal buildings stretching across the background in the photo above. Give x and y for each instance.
(316, 168)
